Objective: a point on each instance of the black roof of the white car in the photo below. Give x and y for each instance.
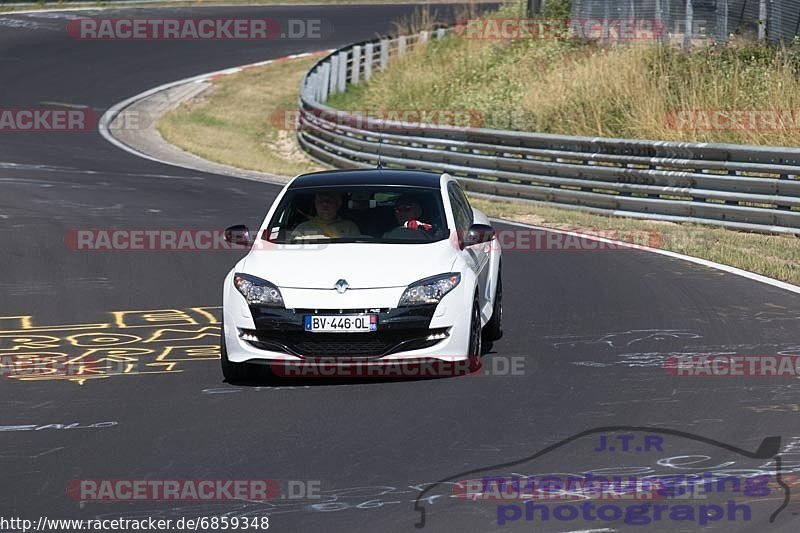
(409, 178)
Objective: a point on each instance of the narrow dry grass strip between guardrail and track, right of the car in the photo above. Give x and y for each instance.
(776, 256)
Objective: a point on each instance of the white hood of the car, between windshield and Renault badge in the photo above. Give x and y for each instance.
(362, 265)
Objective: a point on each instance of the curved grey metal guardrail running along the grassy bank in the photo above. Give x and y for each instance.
(750, 188)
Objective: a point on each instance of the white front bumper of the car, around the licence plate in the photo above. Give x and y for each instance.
(260, 334)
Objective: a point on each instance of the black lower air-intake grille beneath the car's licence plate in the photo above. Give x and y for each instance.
(366, 345)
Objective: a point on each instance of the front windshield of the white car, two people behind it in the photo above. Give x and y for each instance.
(375, 214)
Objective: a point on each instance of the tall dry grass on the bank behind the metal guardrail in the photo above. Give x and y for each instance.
(566, 87)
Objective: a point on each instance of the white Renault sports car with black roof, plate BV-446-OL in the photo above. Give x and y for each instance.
(365, 268)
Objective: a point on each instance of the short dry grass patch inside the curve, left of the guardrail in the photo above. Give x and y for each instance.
(239, 122)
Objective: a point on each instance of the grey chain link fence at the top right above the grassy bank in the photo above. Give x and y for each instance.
(776, 21)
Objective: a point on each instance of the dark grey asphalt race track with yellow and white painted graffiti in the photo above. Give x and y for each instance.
(589, 331)
